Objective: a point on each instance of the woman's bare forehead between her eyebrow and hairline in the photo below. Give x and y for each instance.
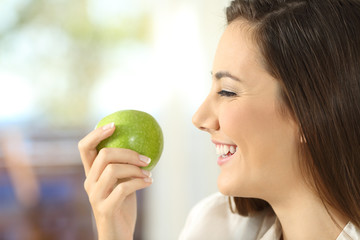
(237, 50)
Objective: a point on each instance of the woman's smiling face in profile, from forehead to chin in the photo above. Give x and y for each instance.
(256, 143)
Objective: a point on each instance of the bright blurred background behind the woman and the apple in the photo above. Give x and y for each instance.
(66, 64)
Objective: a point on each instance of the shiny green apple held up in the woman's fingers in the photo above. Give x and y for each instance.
(135, 130)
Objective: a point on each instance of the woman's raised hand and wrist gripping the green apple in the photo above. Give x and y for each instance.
(112, 177)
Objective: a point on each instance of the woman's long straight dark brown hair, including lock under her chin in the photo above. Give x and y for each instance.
(313, 48)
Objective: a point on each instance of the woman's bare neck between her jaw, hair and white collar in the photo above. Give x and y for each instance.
(303, 216)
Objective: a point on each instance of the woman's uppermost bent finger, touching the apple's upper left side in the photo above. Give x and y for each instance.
(87, 145)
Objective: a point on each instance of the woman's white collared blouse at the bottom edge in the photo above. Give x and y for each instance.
(211, 219)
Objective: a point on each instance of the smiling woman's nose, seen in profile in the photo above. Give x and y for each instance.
(205, 117)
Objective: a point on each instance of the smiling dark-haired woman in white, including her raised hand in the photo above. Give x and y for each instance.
(282, 112)
